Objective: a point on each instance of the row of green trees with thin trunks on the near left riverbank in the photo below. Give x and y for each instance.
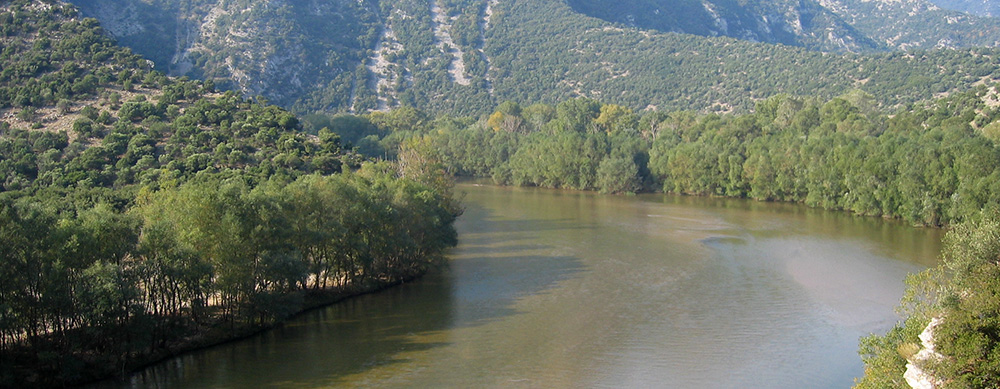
(95, 291)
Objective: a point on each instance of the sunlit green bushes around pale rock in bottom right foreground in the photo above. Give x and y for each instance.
(960, 296)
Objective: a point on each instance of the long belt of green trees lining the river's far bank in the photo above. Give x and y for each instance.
(931, 165)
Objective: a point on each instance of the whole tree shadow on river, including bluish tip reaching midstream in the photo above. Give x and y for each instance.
(489, 271)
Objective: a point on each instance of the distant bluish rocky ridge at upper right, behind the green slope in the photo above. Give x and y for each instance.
(824, 25)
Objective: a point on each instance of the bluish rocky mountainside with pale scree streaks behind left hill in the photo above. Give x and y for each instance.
(339, 55)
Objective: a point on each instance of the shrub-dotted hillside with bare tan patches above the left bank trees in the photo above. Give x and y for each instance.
(77, 110)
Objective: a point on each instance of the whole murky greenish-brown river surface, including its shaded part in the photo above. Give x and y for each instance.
(552, 288)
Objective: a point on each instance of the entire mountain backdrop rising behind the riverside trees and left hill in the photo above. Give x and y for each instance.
(465, 56)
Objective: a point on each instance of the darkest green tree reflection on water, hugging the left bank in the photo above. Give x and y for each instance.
(317, 347)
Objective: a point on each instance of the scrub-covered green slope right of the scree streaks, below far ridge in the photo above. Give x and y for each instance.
(680, 71)
